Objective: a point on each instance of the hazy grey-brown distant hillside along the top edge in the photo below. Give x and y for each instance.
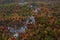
(13, 1)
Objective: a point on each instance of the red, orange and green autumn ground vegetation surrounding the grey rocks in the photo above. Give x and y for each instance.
(47, 25)
